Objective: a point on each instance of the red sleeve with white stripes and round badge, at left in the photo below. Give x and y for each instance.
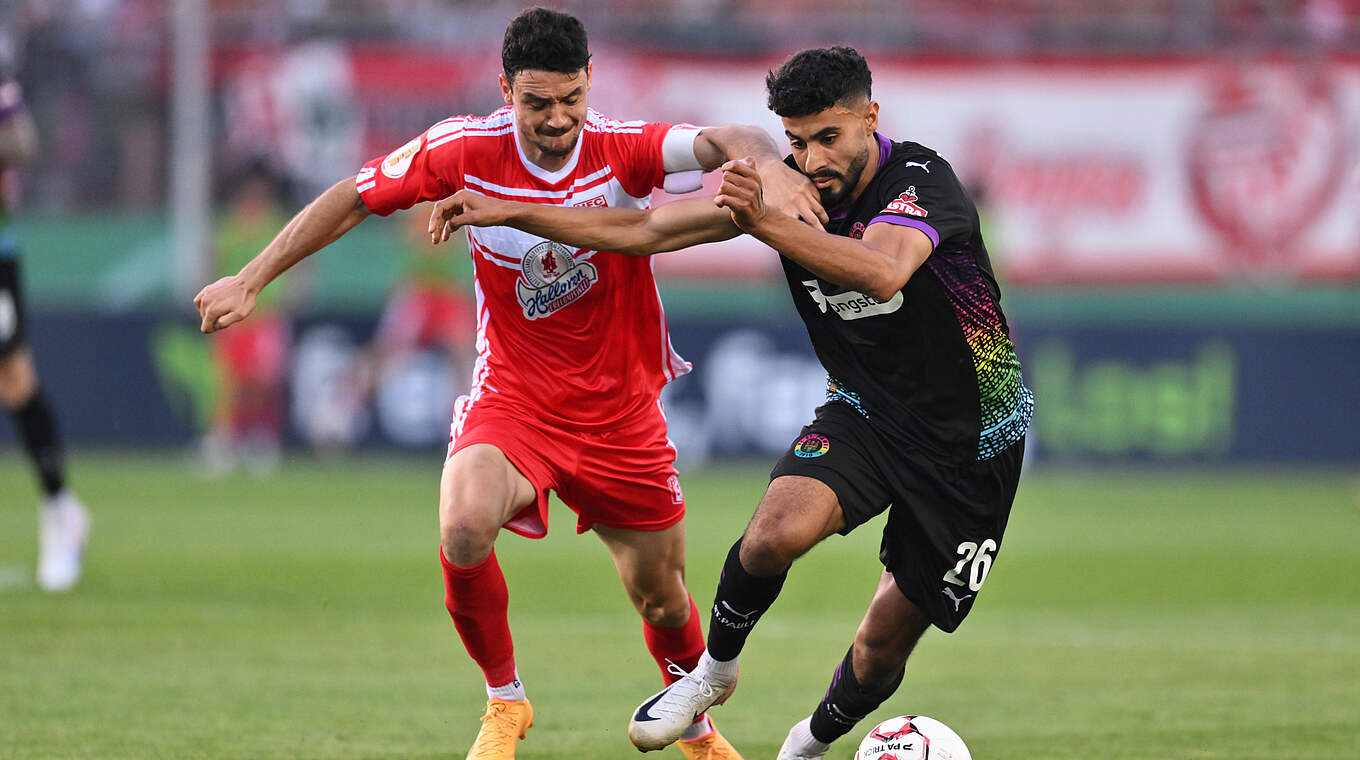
(428, 168)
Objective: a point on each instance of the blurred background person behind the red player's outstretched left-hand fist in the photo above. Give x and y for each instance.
(251, 362)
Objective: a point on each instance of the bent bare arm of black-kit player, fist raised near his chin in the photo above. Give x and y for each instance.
(878, 266)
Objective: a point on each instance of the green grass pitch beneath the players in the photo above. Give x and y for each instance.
(1132, 615)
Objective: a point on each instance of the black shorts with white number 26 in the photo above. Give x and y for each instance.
(945, 521)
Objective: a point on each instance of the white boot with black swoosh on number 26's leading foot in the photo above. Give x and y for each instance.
(660, 721)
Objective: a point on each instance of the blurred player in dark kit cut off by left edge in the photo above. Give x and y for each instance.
(63, 523)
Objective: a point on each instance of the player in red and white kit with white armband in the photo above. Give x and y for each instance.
(572, 349)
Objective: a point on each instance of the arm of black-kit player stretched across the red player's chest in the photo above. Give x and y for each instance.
(622, 230)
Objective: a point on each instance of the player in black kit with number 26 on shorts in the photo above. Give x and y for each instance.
(927, 410)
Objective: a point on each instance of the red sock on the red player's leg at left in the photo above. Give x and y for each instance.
(478, 600)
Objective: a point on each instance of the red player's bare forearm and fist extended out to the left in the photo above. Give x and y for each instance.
(331, 215)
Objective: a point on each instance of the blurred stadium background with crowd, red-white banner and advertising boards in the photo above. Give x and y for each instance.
(1170, 190)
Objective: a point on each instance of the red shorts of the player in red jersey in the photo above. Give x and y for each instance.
(622, 478)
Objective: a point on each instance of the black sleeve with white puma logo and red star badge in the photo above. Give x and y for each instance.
(923, 192)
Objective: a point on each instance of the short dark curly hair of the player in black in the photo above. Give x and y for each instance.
(814, 81)
